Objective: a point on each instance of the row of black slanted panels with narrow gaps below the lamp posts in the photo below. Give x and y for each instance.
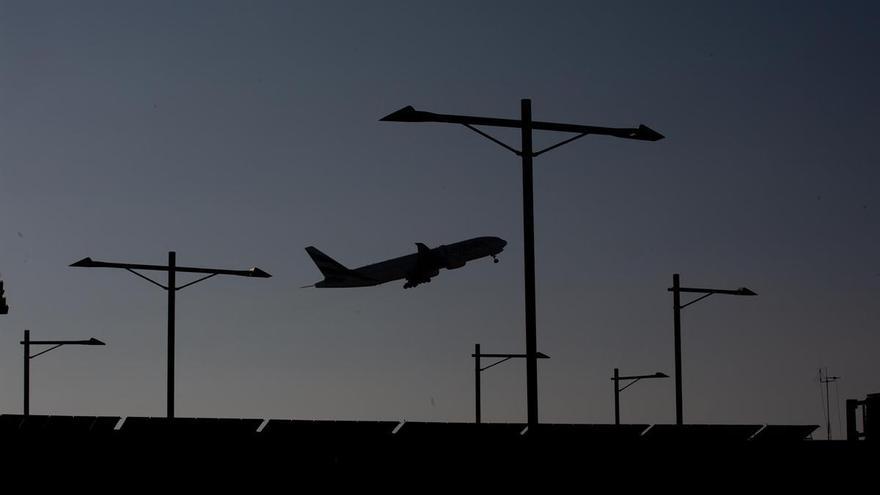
(335, 431)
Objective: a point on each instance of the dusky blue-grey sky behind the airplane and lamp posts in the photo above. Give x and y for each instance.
(237, 133)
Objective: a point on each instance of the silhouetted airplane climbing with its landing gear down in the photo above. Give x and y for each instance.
(416, 268)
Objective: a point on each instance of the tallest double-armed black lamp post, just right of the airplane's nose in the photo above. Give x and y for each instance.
(526, 153)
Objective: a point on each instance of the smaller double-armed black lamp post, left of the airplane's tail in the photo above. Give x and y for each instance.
(172, 269)
